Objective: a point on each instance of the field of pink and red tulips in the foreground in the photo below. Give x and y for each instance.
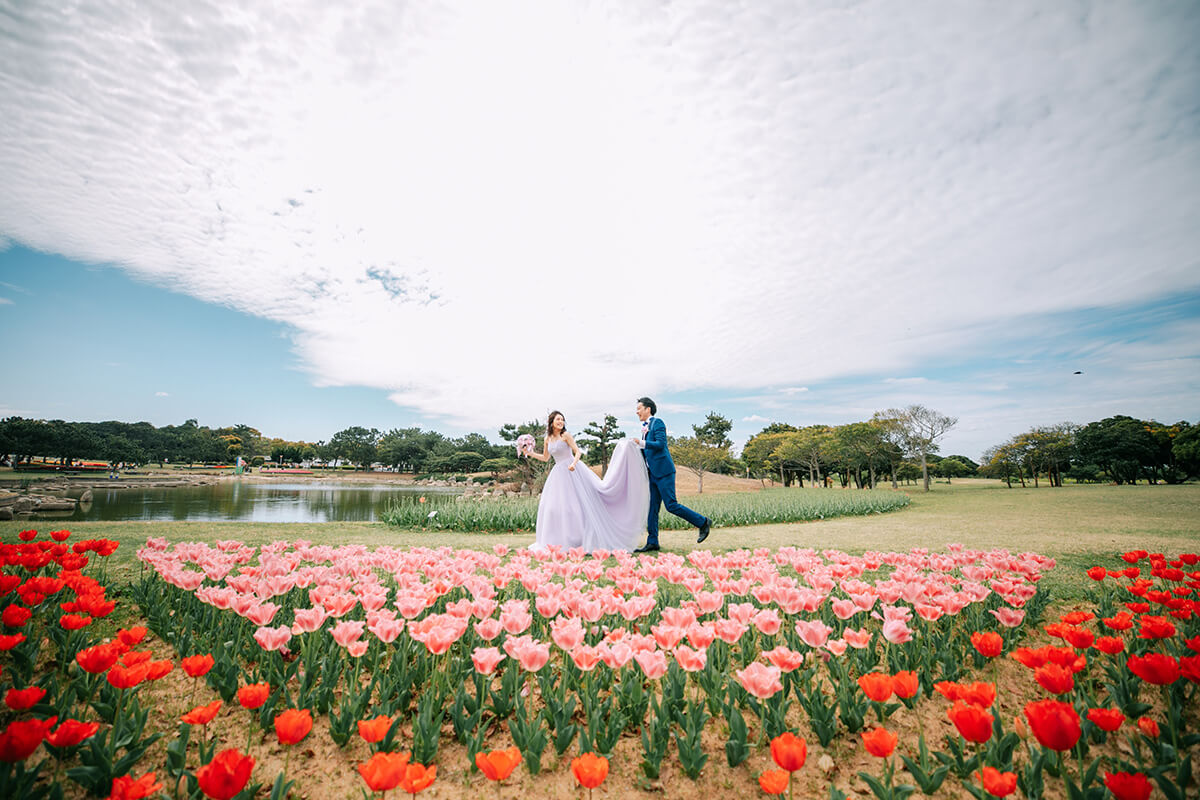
(322, 671)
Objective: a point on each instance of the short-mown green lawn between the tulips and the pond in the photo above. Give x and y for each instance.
(1079, 526)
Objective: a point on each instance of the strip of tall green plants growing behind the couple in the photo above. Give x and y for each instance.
(725, 510)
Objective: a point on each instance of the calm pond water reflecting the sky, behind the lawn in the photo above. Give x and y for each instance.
(249, 502)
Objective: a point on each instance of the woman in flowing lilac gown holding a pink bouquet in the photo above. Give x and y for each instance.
(580, 510)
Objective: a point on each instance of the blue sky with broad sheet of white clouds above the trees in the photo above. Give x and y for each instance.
(458, 215)
